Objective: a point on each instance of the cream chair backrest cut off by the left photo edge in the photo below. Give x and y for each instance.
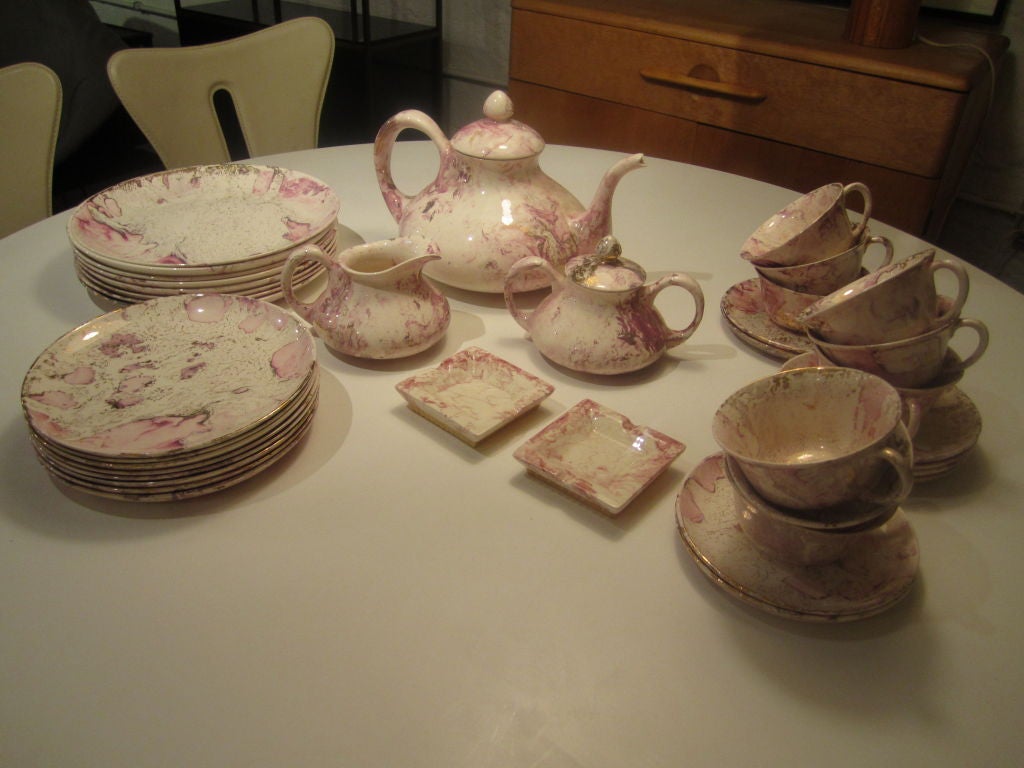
(30, 118)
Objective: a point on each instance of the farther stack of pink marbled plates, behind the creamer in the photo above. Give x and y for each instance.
(223, 229)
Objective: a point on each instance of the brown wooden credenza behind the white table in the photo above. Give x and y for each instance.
(767, 90)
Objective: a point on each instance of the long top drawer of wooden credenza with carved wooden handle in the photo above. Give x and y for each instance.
(820, 108)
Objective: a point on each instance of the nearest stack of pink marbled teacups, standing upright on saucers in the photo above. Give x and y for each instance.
(816, 457)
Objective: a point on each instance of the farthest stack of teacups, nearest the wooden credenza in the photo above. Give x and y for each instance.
(810, 249)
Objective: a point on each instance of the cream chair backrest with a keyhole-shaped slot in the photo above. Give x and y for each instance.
(277, 79)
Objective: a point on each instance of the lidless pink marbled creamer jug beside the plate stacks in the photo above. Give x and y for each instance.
(377, 304)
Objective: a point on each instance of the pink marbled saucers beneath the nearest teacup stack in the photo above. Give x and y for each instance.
(872, 576)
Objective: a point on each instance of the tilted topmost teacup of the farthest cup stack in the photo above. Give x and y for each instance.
(813, 228)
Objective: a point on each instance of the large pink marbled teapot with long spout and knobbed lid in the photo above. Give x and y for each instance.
(491, 204)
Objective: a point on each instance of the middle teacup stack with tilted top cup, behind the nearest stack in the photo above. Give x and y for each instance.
(894, 324)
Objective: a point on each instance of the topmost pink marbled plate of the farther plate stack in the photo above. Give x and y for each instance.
(201, 218)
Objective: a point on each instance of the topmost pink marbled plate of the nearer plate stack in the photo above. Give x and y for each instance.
(168, 375)
